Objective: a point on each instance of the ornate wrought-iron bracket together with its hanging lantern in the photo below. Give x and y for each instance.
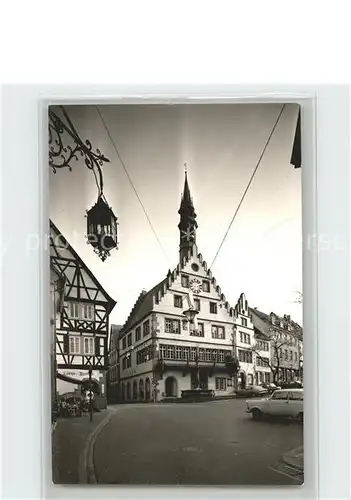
(101, 221)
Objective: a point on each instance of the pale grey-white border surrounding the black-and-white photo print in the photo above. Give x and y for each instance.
(26, 434)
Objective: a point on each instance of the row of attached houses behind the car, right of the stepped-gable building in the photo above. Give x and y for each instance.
(285, 341)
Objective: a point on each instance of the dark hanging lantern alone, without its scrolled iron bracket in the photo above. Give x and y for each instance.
(102, 228)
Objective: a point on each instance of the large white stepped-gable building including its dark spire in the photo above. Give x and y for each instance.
(161, 352)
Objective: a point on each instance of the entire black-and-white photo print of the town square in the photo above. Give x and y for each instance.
(176, 322)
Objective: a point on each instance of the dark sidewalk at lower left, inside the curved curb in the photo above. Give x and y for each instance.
(69, 440)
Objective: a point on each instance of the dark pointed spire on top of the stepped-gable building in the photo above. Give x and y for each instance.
(187, 225)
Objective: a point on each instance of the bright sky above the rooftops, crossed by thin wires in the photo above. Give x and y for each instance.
(221, 144)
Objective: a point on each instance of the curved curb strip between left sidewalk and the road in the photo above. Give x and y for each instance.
(86, 469)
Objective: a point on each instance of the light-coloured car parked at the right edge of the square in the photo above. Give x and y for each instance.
(282, 403)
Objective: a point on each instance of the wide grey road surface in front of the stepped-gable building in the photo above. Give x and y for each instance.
(214, 443)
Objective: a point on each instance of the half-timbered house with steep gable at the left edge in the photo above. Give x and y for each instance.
(82, 325)
